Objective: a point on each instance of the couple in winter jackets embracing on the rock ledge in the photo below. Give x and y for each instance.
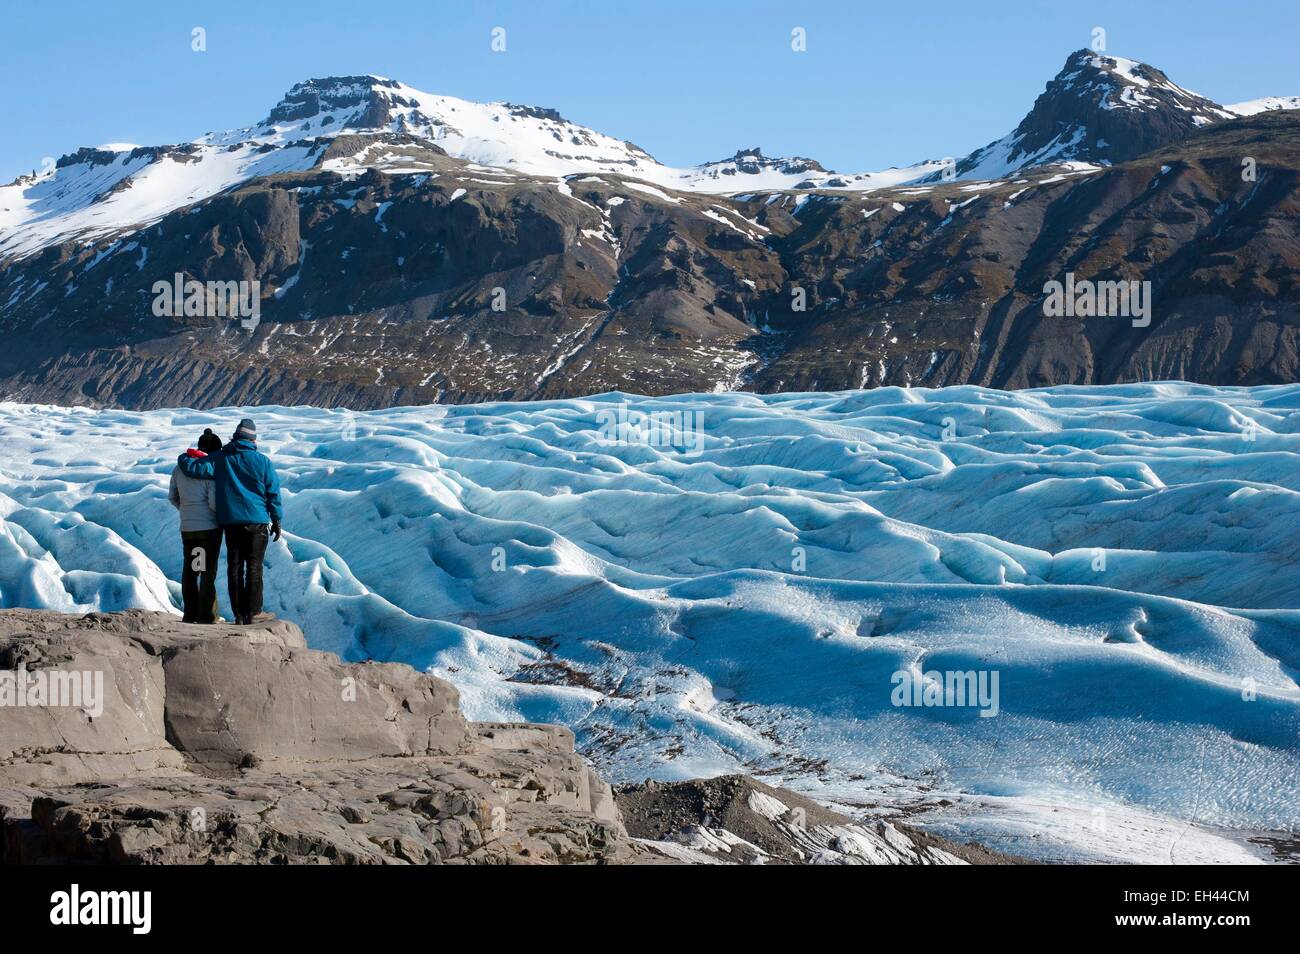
(229, 491)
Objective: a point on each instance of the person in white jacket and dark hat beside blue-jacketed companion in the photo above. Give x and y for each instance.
(201, 536)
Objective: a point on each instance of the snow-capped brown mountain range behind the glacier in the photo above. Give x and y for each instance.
(413, 249)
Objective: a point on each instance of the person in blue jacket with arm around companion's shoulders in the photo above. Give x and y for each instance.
(248, 502)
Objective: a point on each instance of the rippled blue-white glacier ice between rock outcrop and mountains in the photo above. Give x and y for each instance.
(1124, 558)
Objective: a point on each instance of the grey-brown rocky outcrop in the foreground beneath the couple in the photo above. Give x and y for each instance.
(239, 745)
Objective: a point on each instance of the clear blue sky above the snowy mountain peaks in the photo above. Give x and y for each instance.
(882, 84)
